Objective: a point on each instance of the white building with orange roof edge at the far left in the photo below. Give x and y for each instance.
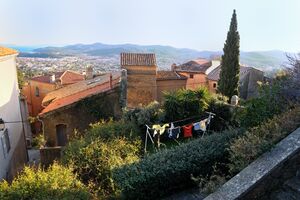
(13, 153)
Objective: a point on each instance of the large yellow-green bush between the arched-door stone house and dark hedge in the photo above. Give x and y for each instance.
(104, 147)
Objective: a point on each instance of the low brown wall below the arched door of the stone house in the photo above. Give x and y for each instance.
(49, 155)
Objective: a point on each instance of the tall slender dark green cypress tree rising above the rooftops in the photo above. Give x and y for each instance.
(230, 68)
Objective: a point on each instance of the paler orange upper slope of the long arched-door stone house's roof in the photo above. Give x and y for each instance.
(77, 87)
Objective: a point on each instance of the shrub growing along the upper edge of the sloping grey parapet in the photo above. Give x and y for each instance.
(260, 139)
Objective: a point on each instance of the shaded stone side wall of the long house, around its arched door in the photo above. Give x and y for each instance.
(79, 116)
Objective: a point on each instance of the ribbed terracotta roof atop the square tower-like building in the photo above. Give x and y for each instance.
(138, 59)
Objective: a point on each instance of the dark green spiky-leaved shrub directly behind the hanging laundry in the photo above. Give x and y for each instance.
(185, 103)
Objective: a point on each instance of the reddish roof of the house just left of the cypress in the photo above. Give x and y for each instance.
(198, 66)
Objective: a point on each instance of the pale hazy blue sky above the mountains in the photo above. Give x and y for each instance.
(197, 24)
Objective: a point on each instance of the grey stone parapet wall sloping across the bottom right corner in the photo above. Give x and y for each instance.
(264, 175)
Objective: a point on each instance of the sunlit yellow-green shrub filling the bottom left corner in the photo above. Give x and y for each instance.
(57, 182)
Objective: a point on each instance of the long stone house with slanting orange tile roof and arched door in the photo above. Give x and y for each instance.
(76, 106)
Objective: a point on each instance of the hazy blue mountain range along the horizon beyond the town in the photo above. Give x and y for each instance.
(166, 55)
